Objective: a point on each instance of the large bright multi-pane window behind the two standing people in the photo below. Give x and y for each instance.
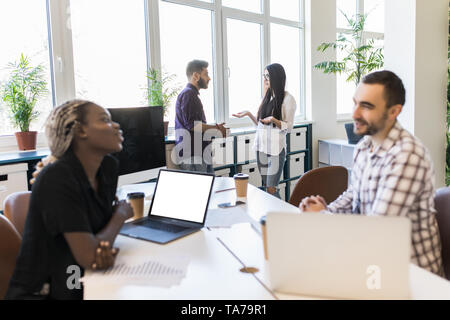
(100, 50)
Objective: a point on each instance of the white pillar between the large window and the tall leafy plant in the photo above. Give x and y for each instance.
(320, 26)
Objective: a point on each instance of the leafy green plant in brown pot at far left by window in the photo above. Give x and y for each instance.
(20, 92)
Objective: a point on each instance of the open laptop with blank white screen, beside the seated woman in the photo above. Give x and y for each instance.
(179, 207)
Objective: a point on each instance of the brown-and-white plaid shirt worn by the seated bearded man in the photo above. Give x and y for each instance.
(396, 179)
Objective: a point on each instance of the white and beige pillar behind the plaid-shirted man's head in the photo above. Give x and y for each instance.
(416, 50)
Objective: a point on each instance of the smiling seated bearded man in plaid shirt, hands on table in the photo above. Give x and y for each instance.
(392, 170)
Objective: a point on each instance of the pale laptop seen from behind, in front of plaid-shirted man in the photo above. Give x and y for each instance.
(339, 256)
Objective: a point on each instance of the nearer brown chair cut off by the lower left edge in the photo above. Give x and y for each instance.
(9, 249)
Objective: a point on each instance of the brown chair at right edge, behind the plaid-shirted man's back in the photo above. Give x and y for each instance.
(442, 205)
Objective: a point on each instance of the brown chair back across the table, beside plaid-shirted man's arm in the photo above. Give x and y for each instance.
(328, 182)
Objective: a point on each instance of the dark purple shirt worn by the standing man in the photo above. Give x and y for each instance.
(188, 109)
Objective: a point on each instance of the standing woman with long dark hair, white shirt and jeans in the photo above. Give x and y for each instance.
(274, 119)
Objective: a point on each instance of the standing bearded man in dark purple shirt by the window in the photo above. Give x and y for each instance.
(190, 122)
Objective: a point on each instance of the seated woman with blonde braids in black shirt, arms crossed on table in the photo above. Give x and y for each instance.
(71, 220)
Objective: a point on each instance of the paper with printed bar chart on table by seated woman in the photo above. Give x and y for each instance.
(161, 271)
